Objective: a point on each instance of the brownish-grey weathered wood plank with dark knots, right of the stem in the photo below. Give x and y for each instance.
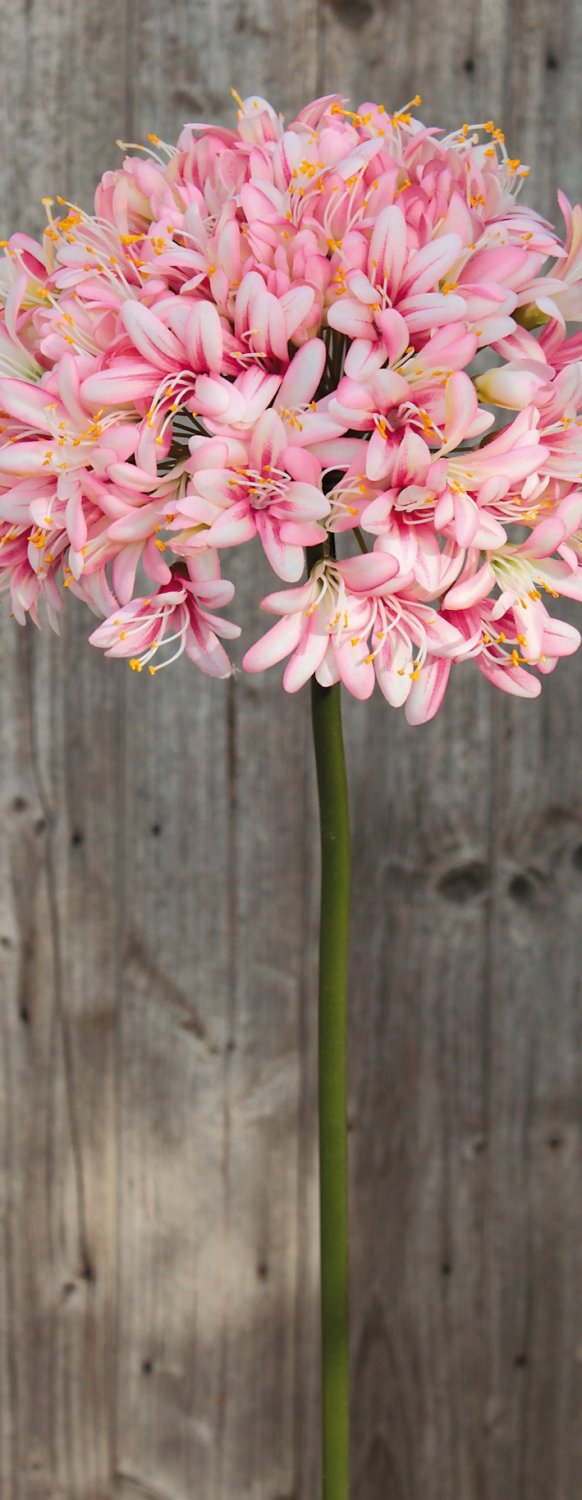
(467, 1132)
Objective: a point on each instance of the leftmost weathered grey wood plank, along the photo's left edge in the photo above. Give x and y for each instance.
(61, 82)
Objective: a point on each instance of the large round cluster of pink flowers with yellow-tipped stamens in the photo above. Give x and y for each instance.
(346, 338)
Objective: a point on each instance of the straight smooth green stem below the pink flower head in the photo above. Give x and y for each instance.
(334, 1141)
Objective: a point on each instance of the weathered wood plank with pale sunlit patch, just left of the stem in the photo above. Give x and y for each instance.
(208, 1352)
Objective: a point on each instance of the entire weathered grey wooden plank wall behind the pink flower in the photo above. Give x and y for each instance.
(158, 908)
